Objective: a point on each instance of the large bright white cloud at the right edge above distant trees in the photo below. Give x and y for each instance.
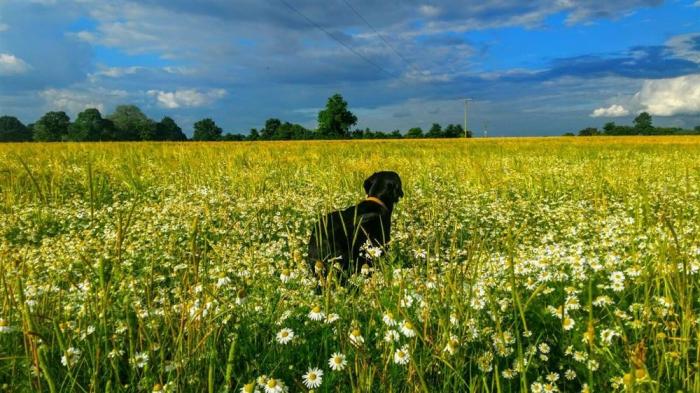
(669, 97)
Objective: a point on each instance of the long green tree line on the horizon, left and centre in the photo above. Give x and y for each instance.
(129, 123)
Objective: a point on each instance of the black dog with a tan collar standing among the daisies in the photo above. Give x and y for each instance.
(340, 235)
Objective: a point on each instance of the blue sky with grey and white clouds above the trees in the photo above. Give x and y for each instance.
(531, 68)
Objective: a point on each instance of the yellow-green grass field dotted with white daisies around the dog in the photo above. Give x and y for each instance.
(534, 264)
